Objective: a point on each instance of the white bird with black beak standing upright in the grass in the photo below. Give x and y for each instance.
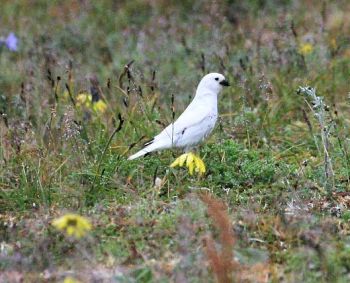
(195, 123)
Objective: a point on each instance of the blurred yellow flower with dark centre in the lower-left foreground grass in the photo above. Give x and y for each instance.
(73, 224)
